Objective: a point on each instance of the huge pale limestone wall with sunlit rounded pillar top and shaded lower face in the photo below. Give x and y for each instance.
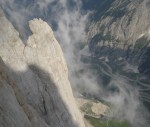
(41, 95)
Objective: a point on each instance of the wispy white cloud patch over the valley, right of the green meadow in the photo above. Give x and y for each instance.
(126, 102)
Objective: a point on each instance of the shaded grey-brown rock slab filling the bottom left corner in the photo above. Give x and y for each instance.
(11, 113)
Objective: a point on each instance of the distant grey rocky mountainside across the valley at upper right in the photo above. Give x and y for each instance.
(122, 30)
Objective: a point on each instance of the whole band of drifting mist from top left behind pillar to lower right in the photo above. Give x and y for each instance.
(69, 23)
